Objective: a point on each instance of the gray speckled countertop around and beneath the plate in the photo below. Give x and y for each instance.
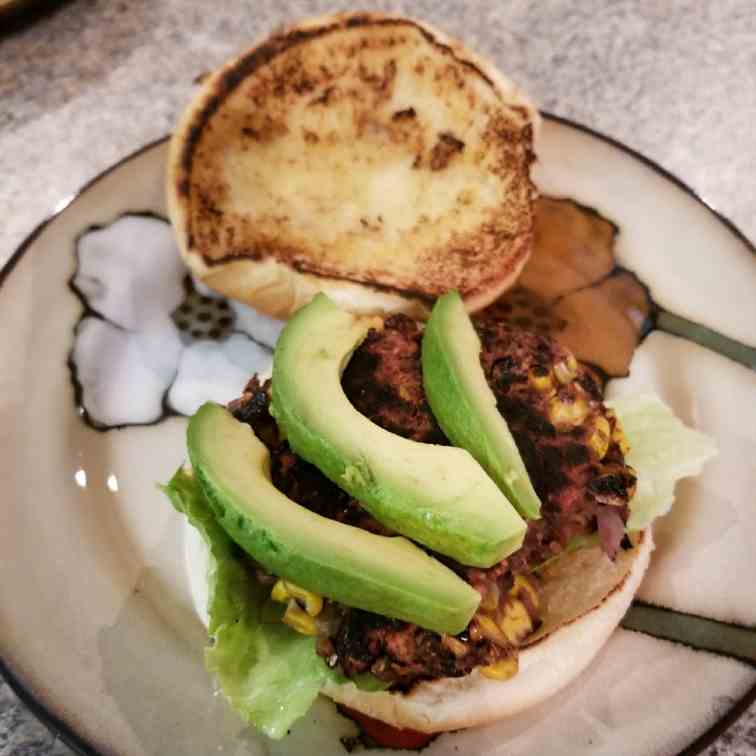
(94, 80)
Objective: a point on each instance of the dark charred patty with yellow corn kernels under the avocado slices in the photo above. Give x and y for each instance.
(572, 447)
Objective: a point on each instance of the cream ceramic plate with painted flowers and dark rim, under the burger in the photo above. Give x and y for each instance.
(107, 346)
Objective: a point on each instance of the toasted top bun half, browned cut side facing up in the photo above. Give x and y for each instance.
(364, 155)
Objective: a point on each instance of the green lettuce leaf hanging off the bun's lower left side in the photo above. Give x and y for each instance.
(269, 673)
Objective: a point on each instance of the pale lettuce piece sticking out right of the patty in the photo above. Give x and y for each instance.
(662, 450)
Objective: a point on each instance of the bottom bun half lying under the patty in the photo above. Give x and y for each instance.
(585, 601)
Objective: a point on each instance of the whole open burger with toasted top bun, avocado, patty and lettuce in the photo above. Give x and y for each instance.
(436, 524)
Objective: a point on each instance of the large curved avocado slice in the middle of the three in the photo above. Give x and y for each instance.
(437, 495)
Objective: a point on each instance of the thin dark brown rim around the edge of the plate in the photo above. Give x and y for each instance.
(66, 733)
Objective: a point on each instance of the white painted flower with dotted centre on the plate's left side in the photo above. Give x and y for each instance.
(150, 343)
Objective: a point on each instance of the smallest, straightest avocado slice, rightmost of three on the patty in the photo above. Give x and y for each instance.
(464, 404)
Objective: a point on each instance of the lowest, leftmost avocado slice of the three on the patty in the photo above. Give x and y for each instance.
(385, 575)
